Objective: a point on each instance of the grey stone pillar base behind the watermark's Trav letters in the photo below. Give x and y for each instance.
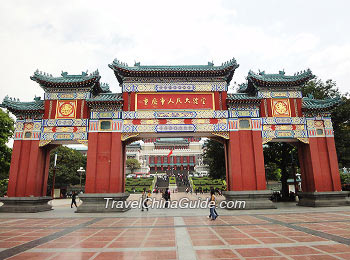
(96, 203)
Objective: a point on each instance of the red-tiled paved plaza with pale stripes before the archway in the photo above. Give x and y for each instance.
(289, 232)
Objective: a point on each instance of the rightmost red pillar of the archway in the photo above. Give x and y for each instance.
(319, 165)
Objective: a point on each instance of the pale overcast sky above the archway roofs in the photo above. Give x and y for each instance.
(76, 36)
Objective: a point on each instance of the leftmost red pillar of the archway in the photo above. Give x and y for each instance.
(29, 169)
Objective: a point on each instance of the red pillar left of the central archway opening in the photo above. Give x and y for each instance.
(105, 163)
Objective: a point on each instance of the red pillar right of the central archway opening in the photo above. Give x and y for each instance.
(245, 162)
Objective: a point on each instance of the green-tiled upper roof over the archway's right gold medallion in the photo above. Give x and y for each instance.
(261, 80)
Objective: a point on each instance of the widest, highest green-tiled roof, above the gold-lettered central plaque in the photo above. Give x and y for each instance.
(225, 70)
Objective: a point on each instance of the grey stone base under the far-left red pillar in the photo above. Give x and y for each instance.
(25, 204)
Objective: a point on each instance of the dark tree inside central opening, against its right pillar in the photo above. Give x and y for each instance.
(214, 157)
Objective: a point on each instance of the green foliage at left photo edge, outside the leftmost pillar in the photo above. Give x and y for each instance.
(6, 131)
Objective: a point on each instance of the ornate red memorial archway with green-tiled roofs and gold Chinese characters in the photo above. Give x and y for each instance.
(175, 100)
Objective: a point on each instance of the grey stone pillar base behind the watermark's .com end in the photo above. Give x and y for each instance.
(254, 199)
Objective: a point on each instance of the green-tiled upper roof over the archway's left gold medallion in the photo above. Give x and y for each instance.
(66, 81)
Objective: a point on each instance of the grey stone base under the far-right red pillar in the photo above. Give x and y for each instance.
(323, 199)
